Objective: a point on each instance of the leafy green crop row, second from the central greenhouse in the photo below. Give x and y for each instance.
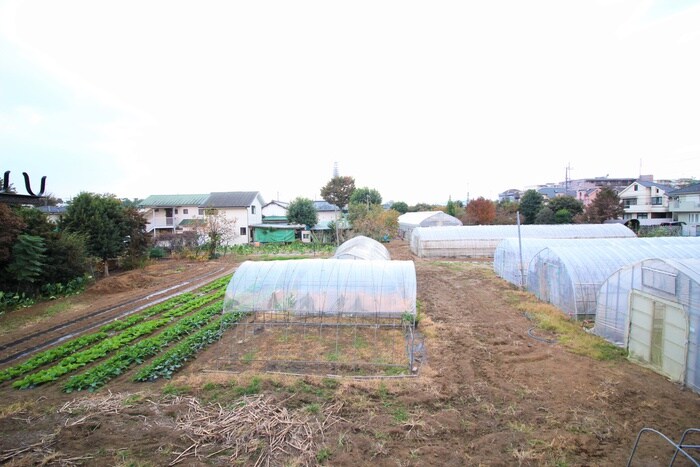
(97, 376)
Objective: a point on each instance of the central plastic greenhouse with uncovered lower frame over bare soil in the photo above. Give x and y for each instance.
(321, 315)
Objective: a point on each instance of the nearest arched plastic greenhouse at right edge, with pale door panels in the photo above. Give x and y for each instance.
(652, 308)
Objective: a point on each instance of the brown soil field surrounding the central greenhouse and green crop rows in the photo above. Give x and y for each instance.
(492, 391)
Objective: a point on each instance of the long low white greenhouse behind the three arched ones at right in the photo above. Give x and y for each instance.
(480, 241)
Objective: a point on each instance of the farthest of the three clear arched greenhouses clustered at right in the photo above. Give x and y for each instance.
(506, 258)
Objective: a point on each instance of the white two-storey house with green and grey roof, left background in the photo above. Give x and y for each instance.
(179, 213)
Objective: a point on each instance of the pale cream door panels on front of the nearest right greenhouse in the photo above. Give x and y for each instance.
(658, 334)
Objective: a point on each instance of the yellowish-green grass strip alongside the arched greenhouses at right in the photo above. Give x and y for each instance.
(570, 332)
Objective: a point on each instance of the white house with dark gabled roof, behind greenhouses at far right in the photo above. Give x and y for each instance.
(646, 199)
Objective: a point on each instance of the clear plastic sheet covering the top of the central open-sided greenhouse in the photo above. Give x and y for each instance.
(324, 286)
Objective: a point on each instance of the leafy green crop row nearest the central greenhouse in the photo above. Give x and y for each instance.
(169, 362)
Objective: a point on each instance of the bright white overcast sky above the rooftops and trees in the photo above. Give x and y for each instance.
(422, 101)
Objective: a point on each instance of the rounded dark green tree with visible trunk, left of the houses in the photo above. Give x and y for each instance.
(102, 220)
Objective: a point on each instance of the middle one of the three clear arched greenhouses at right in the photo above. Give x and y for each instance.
(570, 277)
